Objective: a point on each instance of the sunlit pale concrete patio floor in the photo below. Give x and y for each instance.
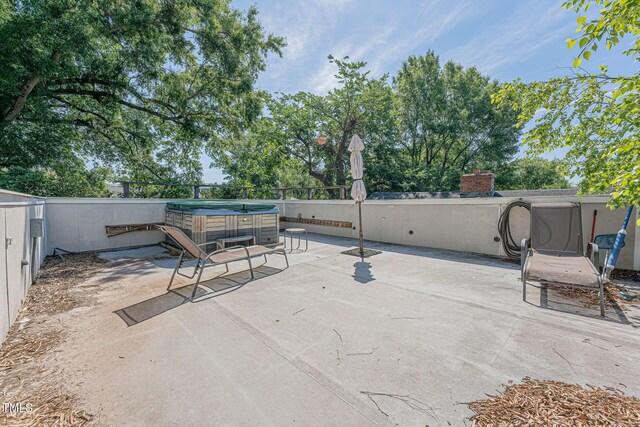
(405, 337)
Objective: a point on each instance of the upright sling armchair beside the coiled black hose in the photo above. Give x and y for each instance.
(556, 254)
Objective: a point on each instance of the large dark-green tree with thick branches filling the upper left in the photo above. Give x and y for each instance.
(138, 86)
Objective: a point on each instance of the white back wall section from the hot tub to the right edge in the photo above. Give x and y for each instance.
(468, 225)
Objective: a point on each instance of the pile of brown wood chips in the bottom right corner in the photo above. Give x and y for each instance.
(554, 403)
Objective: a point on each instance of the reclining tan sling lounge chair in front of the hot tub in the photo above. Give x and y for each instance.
(215, 258)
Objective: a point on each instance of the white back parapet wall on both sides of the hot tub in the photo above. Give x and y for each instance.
(468, 225)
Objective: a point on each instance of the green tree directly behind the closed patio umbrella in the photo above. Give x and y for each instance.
(288, 136)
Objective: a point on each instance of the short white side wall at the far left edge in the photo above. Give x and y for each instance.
(23, 250)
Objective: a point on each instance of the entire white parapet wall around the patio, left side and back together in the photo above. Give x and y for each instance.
(468, 225)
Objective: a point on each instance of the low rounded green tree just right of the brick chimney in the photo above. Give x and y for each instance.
(530, 174)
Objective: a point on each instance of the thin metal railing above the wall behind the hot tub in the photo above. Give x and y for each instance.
(243, 192)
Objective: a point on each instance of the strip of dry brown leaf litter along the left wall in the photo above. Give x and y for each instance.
(26, 377)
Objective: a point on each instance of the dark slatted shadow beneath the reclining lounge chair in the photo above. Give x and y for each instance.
(217, 286)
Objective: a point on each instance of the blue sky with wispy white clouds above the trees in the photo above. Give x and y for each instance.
(504, 39)
